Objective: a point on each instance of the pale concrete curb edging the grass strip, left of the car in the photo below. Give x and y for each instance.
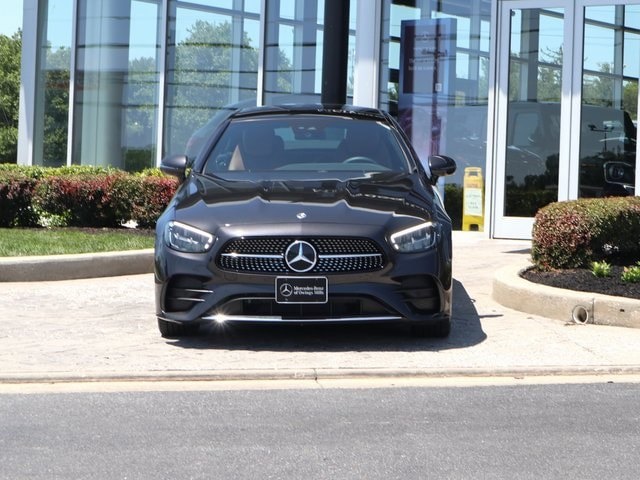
(70, 267)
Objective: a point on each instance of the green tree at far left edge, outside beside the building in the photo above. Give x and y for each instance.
(10, 54)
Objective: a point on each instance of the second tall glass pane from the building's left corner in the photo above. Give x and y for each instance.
(116, 84)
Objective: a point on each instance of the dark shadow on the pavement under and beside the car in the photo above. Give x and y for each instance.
(466, 332)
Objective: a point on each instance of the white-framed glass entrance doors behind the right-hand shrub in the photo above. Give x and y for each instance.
(566, 103)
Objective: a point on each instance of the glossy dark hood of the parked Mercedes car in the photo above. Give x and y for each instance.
(375, 200)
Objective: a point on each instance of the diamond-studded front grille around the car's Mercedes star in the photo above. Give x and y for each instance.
(335, 255)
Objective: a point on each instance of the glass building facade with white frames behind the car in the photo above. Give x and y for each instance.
(539, 101)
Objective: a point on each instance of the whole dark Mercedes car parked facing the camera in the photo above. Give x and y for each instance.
(305, 214)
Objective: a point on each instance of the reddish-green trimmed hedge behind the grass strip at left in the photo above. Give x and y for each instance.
(81, 197)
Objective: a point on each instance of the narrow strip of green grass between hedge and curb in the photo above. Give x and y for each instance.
(16, 242)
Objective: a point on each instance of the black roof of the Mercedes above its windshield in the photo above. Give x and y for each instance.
(311, 109)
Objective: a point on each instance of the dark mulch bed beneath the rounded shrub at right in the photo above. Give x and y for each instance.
(584, 280)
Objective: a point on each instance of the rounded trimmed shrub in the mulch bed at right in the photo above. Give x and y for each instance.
(574, 234)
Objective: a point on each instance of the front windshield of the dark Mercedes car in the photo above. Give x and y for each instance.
(285, 144)
